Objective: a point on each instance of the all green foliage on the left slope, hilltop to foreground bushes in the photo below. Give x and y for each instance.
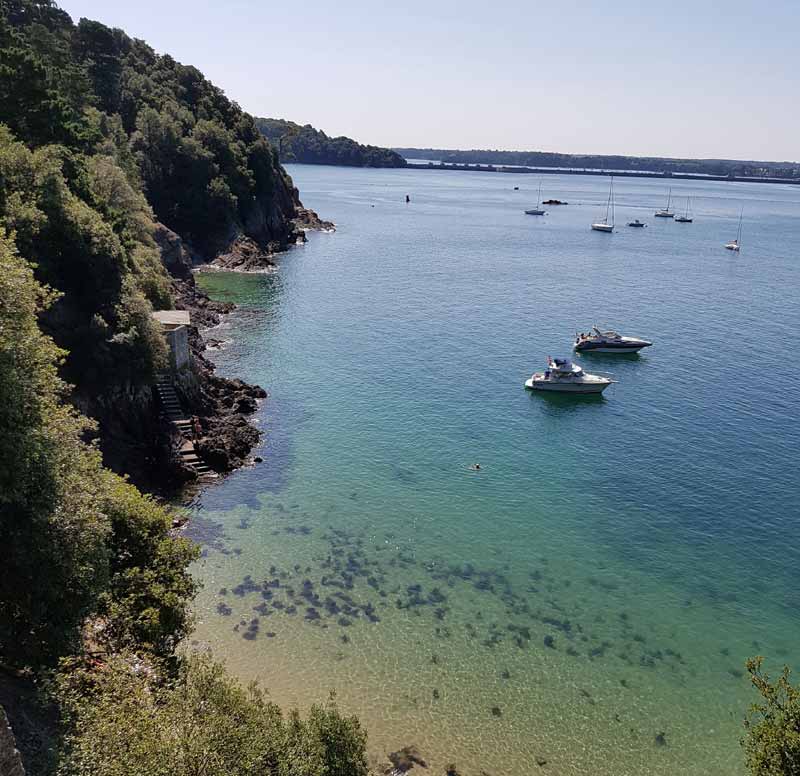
(100, 138)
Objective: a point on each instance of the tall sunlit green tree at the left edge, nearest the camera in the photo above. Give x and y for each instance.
(54, 541)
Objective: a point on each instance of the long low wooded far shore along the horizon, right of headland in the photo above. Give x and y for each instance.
(716, 167)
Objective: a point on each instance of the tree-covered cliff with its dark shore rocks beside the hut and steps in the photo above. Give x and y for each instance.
(120, 169)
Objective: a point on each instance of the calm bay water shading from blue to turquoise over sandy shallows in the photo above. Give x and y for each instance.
(590, 596)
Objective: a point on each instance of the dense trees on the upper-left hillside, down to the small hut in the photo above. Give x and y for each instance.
(103, 137)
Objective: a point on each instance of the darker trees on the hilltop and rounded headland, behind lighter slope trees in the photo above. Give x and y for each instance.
(206, 169)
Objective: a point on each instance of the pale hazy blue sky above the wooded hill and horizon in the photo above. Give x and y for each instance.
(667, 78)
